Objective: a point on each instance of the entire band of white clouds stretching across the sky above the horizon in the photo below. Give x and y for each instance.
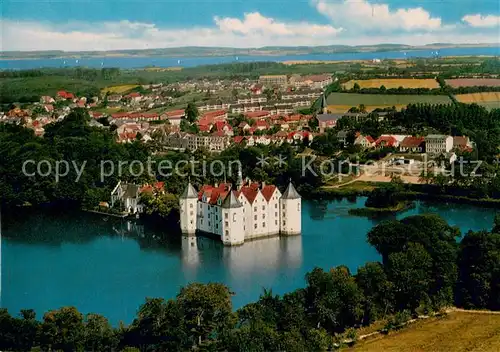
(352, 22)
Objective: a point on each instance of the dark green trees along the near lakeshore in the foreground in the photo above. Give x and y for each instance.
(423, 269)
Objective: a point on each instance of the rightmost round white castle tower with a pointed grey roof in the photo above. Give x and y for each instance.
(290, 212)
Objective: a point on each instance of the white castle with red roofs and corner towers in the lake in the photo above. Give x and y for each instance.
(249, 211)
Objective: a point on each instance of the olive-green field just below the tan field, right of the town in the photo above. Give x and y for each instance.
(341, 102)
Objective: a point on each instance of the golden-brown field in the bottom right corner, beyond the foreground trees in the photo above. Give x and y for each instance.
(455, 332)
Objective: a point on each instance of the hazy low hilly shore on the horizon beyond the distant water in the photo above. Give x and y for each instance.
(221, 51)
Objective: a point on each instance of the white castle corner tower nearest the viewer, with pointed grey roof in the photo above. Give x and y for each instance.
(232, 221)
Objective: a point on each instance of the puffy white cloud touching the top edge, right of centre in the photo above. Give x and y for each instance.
(363, 16)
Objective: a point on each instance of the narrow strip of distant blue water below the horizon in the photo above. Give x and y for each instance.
(139, 62)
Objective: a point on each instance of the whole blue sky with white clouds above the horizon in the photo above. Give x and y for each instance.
(82, 25)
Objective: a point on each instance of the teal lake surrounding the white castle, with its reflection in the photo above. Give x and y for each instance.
(50, 260)
